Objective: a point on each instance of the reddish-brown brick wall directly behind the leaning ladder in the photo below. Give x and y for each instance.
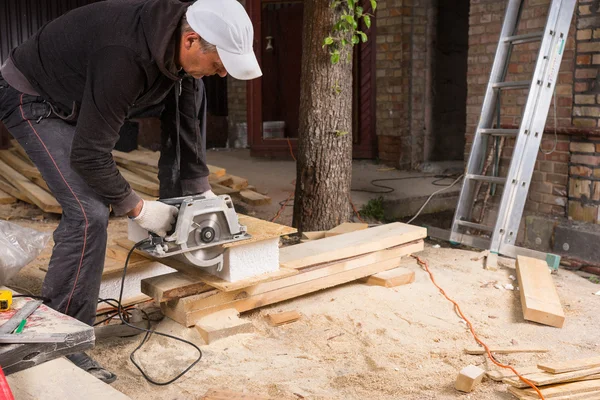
(548, 190)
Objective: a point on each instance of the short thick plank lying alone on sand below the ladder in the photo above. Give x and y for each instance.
(539, 298)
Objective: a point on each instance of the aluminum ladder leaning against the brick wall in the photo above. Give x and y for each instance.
(502, 236)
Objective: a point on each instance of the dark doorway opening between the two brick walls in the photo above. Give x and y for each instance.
(449, 84)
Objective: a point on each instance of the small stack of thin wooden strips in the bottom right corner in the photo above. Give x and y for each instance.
(573, 379)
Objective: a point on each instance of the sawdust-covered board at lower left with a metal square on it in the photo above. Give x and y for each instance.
(44, 320)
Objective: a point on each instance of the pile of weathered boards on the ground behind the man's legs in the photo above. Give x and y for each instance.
(21, 180)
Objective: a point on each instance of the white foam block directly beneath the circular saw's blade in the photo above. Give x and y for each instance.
(248, 260)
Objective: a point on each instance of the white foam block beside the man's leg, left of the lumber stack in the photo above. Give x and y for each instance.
(111, 284)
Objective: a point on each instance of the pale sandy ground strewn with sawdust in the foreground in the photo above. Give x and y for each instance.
(357, 341)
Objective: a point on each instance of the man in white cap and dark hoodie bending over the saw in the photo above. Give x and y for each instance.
(66, 92)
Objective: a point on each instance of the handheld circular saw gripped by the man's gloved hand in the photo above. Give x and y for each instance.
(203, 226)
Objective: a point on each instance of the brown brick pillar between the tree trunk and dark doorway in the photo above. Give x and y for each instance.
(401, 80)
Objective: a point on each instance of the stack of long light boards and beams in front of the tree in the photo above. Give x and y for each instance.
(187, 296)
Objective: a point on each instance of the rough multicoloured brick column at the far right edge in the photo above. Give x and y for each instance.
(584, 171)
